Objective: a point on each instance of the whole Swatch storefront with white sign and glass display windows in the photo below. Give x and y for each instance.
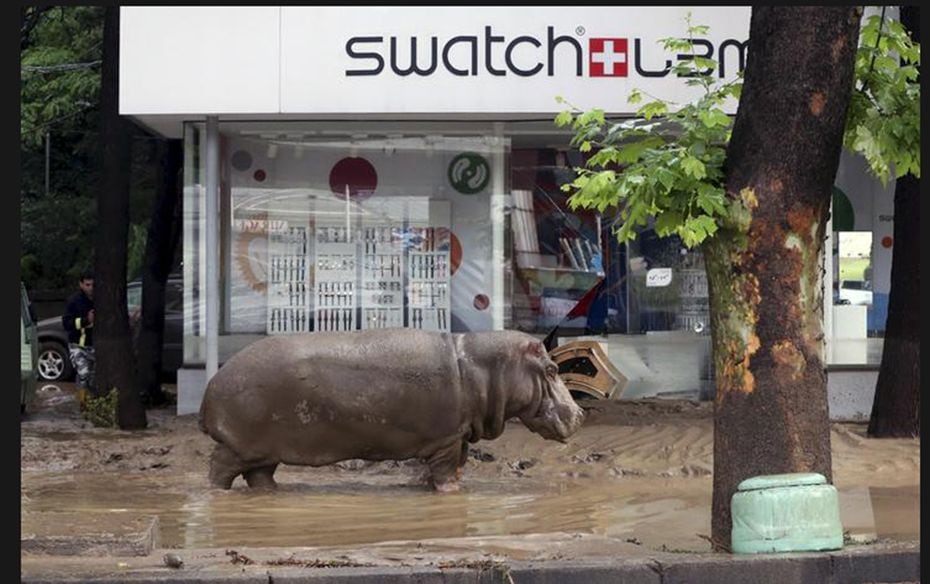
(350, 168)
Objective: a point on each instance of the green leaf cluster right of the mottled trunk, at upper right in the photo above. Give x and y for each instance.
(883, 124)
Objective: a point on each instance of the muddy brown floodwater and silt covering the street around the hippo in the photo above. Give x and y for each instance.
(637, 472)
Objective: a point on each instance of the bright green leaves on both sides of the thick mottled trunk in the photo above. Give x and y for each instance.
(668, 163)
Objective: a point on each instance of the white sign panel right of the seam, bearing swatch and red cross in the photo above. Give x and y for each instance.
(491, 59)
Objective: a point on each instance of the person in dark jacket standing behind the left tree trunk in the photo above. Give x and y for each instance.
(79, 322)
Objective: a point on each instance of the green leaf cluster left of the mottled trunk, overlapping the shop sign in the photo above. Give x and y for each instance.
(667, 162)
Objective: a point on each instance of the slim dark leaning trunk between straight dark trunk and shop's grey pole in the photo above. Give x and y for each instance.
(163, 236)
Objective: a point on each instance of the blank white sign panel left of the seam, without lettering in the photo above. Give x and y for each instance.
(199, 59)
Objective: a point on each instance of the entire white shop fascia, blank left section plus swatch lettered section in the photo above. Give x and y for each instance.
(402, 60)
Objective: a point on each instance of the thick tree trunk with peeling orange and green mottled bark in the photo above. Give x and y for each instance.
(764, 269)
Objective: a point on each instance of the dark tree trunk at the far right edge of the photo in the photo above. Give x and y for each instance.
(896, 408)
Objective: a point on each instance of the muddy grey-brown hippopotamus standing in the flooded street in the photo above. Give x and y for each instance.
(388, 394)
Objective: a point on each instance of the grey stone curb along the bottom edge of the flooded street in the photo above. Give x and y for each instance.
(885, 563)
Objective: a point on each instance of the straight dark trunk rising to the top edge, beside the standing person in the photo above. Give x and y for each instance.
(112, 339)
